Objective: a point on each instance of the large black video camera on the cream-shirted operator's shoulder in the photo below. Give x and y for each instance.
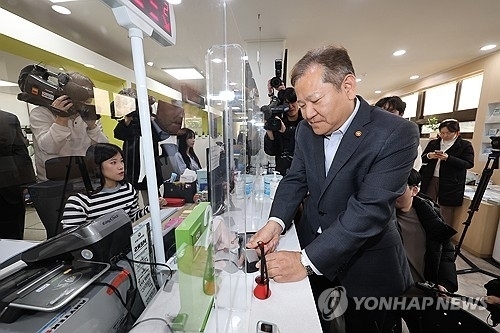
(41, 87)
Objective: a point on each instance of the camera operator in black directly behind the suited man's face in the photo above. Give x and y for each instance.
(280, 142)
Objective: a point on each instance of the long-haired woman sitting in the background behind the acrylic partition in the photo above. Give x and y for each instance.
(186, 158)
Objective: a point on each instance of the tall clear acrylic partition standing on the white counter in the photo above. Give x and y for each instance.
(227, 105)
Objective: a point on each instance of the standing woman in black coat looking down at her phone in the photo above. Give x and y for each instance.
(446, 160)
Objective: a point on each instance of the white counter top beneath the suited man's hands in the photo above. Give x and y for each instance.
(291, 306)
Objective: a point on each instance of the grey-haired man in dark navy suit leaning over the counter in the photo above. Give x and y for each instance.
(352, 161)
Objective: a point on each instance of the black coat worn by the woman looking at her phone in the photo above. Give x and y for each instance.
(452, 172)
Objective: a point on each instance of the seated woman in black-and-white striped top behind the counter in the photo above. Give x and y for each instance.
(112, 194)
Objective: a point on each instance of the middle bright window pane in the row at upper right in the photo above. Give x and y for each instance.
(440, 99)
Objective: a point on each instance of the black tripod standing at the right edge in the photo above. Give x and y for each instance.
(491, 164)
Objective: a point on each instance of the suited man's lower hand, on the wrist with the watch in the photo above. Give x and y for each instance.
(285, 266)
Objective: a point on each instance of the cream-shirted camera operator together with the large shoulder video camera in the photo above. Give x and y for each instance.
(65, 122)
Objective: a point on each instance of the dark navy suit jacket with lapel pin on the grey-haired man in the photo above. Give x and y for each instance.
(354, 204)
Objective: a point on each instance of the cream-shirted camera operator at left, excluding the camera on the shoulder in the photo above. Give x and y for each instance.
(67, 127)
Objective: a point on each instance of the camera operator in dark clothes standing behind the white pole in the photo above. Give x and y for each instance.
(128, 130)
